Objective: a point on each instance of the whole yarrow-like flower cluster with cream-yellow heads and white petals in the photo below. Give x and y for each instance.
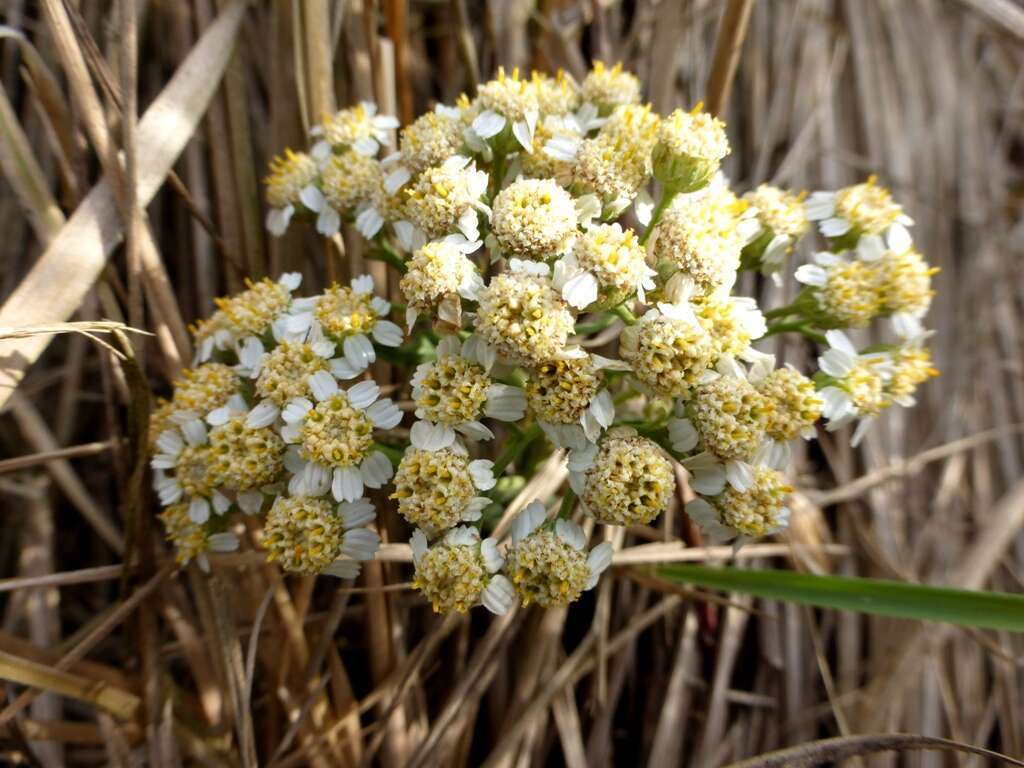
(534, 319)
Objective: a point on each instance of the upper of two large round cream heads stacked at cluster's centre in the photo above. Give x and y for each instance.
(534, 220)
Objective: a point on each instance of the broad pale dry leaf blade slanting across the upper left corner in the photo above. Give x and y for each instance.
(57, 286)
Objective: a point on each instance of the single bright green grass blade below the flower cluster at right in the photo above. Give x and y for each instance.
(998, 611)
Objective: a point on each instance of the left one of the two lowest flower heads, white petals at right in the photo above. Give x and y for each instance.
(460, 572)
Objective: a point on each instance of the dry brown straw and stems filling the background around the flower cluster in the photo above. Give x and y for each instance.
(147, 667)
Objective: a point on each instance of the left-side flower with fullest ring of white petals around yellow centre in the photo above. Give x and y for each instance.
(334, 437)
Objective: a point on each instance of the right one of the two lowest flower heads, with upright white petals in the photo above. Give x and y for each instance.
(548, 566)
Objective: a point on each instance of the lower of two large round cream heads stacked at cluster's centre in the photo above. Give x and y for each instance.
(524, 318)
